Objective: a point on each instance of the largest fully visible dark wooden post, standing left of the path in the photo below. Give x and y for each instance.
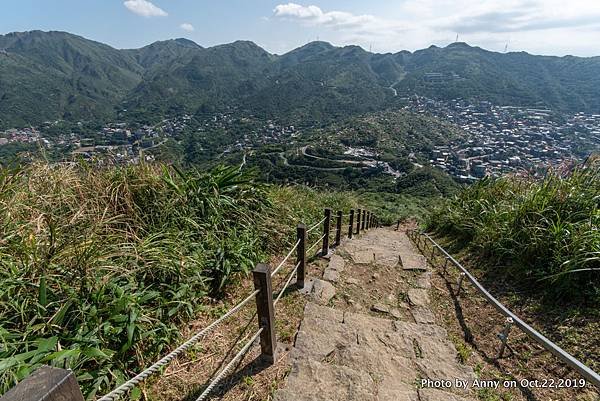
(266, 312)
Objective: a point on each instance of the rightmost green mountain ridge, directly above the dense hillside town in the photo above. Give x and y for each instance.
(563, 83)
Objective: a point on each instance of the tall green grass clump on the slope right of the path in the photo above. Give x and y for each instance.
(544, 231)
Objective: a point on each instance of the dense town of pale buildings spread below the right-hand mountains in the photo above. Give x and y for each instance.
(503, 139)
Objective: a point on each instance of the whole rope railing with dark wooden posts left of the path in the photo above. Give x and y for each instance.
(265, 300)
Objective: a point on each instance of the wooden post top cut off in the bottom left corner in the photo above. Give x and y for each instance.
(48, 384)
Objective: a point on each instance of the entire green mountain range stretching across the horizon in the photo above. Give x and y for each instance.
(57, 75)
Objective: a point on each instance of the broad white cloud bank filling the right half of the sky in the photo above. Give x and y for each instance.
(537, 26)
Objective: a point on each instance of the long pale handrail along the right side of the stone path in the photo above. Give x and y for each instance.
(567, 358)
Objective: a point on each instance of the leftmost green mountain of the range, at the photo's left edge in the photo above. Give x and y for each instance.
(52, 75)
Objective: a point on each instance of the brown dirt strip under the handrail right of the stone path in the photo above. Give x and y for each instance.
(474, 326)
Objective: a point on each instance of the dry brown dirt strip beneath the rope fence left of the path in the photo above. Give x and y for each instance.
(187, 376)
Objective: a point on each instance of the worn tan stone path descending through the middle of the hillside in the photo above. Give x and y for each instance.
(345, 350)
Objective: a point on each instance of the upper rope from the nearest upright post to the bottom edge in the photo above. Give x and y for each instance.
(131, 383)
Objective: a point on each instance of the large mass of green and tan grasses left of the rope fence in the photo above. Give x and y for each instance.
(98, 267)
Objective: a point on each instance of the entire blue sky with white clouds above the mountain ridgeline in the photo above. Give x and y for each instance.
(552, 27)
